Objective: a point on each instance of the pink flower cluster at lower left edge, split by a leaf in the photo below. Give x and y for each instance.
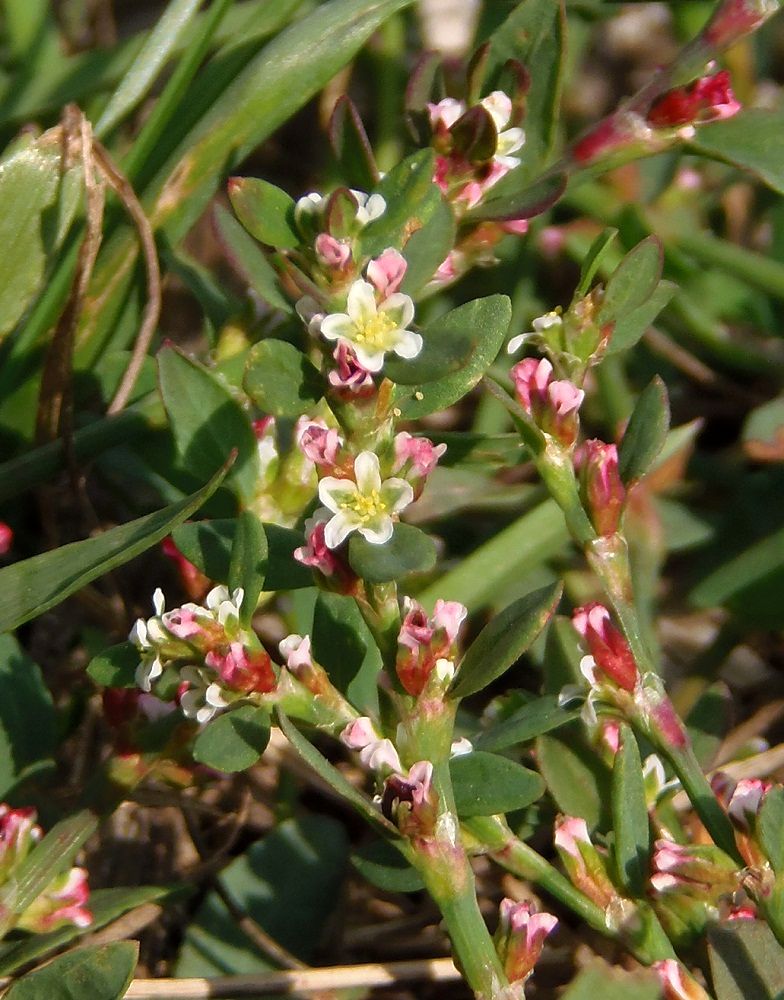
(64, 901)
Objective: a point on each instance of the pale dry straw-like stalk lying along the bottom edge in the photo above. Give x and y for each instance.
(297, 981)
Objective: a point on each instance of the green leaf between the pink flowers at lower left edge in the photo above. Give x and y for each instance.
(51, 856)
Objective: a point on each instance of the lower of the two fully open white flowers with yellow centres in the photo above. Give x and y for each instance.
(366, 506)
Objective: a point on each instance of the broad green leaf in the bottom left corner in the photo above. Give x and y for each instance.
(102, 972)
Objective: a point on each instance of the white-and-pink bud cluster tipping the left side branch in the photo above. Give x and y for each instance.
(214, 660)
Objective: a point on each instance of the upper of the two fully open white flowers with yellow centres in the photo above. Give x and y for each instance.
(371, 330)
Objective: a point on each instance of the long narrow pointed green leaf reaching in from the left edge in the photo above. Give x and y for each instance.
(30, 587)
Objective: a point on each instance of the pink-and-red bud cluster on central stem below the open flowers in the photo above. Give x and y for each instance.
(427, 644)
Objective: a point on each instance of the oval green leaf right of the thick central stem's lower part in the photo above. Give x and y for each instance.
(486, 784)
